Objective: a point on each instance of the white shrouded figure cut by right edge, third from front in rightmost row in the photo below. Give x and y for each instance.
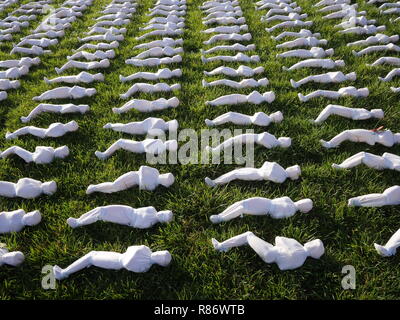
(386, 161)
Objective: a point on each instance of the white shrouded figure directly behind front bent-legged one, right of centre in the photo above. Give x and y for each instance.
(278, 208)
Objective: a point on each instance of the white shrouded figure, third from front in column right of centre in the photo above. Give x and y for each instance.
(270, 171)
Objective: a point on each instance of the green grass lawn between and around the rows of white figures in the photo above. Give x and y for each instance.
(197, 270)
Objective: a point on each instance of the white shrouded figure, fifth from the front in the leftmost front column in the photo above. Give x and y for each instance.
(55, 130)
